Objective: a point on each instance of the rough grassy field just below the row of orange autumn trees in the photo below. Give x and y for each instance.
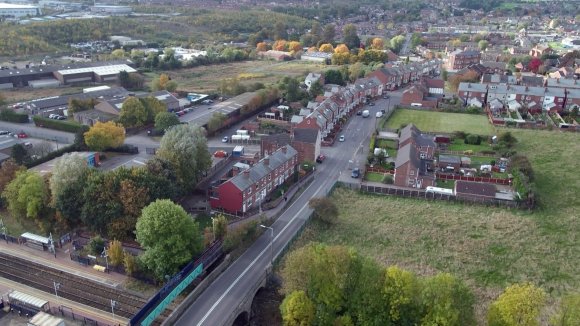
(205, 79)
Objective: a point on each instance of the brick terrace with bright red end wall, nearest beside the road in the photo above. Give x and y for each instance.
(248, 189)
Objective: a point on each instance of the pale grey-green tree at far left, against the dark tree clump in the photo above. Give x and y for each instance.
(67, 169)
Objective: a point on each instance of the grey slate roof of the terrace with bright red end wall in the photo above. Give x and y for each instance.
(260, 169)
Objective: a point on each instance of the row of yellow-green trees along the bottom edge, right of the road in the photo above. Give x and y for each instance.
(335, 285)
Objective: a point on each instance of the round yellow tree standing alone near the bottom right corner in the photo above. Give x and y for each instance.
(518, 305)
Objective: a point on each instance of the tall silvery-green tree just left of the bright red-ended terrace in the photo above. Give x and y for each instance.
(185, 146)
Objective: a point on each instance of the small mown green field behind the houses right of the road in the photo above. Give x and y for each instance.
(441, 122)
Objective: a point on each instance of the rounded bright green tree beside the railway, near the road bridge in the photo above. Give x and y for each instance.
(169, 235)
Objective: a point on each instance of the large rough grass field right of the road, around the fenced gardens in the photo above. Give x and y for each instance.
(489, 248)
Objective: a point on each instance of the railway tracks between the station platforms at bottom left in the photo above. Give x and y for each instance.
(71, 286)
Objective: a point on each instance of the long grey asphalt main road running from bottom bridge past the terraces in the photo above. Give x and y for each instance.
(226, 292)
